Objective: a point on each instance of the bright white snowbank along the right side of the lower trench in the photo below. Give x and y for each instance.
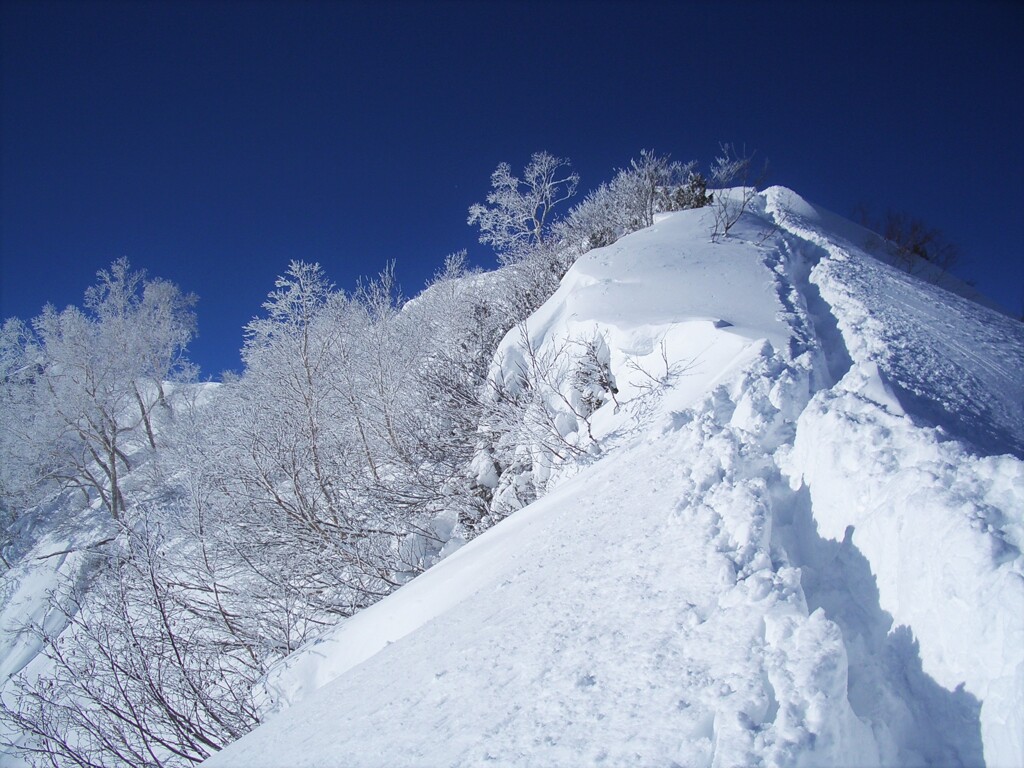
(943, 532)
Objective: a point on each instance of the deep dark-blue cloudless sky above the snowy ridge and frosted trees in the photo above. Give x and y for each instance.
(211, 143)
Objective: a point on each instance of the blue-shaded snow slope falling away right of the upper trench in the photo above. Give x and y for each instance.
(951, 362)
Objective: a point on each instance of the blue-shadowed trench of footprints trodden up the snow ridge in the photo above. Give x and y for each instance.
(914, 719)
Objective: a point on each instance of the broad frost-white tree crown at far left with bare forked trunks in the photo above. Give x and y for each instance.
(94, 378)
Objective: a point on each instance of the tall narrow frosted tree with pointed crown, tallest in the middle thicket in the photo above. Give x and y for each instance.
(313, 451)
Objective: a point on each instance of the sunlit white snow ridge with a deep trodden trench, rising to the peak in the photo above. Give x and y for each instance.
(796, 544)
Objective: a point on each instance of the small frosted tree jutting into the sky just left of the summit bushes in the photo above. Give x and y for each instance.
(518, 216)
